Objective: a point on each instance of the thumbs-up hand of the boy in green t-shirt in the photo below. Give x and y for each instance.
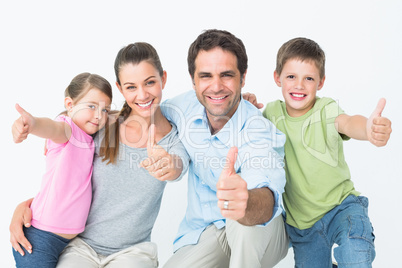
(378, 128)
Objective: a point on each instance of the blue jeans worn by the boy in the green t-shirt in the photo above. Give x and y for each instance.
(347, 225)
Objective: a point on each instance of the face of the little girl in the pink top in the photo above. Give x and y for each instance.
(90, 112)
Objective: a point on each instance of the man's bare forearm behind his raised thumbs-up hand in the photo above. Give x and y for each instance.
(260, 206)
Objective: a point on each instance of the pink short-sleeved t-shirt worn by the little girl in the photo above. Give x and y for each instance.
(63, 203)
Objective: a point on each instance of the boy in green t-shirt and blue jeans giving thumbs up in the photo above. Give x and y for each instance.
(322, 206)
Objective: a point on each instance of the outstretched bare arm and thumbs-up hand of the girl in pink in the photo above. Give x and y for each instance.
(58, 132)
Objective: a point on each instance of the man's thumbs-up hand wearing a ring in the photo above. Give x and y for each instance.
(232, 190)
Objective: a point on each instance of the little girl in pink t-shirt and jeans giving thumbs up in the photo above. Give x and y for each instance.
(60, 209)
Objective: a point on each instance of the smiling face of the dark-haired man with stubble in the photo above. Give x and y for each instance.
(218, 83)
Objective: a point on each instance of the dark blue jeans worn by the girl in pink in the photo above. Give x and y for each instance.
(46, 248)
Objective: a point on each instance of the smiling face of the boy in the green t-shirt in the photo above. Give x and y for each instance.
(300, 81)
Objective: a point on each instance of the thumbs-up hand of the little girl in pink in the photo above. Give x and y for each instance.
(23, 125)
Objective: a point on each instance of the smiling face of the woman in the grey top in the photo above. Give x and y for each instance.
(141, 86)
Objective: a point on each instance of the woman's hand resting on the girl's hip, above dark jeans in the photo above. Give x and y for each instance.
(22, 217)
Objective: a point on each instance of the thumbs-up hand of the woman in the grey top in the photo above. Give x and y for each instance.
(160, 164)
